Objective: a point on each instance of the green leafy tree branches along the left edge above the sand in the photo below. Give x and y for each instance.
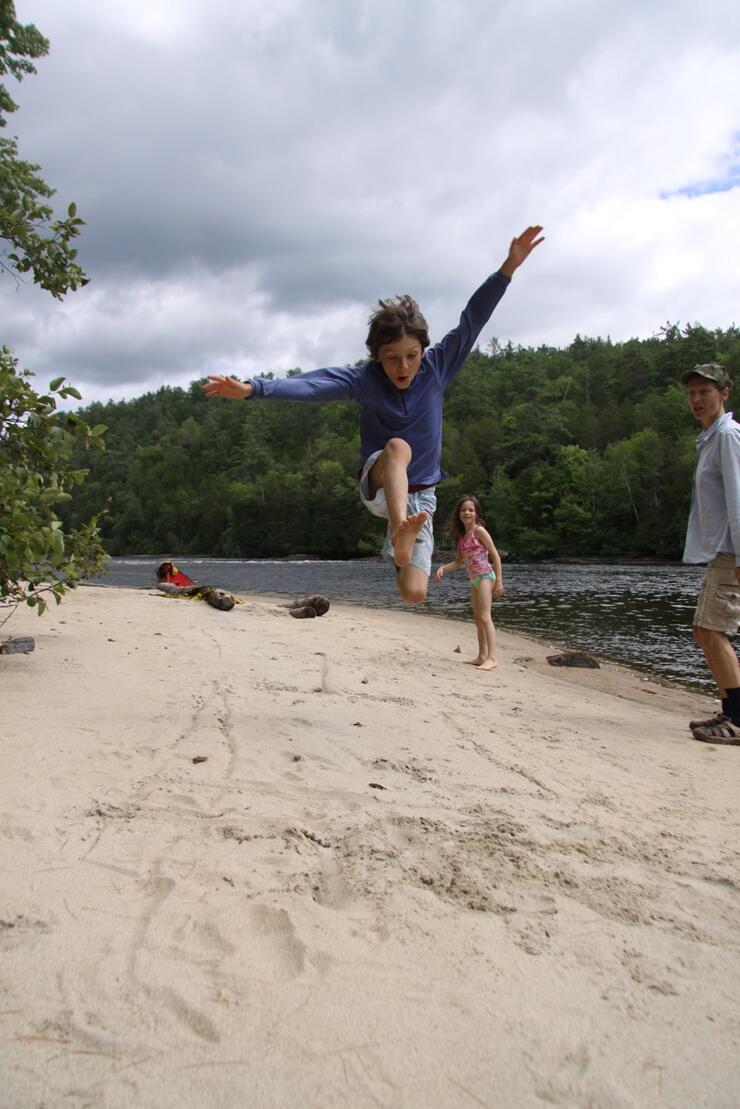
(38, 556)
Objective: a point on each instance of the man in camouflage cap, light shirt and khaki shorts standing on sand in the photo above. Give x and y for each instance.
(714, 537)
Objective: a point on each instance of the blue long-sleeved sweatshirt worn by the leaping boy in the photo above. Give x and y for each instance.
(387, 413)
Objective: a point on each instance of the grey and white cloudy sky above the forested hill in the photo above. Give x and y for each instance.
(256, 174)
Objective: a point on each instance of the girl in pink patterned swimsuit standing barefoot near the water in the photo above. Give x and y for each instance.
(475, 551)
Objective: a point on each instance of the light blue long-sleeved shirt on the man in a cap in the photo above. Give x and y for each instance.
(714, 525)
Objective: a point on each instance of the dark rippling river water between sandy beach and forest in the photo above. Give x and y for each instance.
(638, 615)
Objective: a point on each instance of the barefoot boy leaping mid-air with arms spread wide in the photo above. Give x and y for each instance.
(401, 395)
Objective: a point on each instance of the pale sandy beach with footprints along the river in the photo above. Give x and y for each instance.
(393, 881)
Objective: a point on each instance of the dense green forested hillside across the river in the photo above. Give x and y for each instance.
(580, 452)
